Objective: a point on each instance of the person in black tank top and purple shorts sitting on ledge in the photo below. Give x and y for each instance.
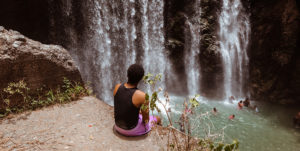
(128, 100)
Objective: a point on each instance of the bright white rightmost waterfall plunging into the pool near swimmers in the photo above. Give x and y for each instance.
(234, 37)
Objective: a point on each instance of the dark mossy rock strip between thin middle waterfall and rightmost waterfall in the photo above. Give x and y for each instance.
(210, 57)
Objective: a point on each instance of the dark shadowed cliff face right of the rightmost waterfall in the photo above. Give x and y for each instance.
(274, 50)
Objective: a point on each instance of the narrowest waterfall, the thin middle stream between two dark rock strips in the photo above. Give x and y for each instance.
(192, 50)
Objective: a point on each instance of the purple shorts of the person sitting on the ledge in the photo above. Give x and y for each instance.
(140, 129)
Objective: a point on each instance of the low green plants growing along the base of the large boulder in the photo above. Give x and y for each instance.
(17, 97)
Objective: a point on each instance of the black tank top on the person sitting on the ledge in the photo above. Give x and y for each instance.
(126, 114)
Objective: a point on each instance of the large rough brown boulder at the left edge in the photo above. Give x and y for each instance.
(37, 64)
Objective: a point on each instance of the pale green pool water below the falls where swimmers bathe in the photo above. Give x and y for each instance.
(270, 129)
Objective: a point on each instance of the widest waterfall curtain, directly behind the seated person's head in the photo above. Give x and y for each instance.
(116, 34)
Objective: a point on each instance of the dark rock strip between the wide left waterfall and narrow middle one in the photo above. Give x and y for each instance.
(175, 16)
